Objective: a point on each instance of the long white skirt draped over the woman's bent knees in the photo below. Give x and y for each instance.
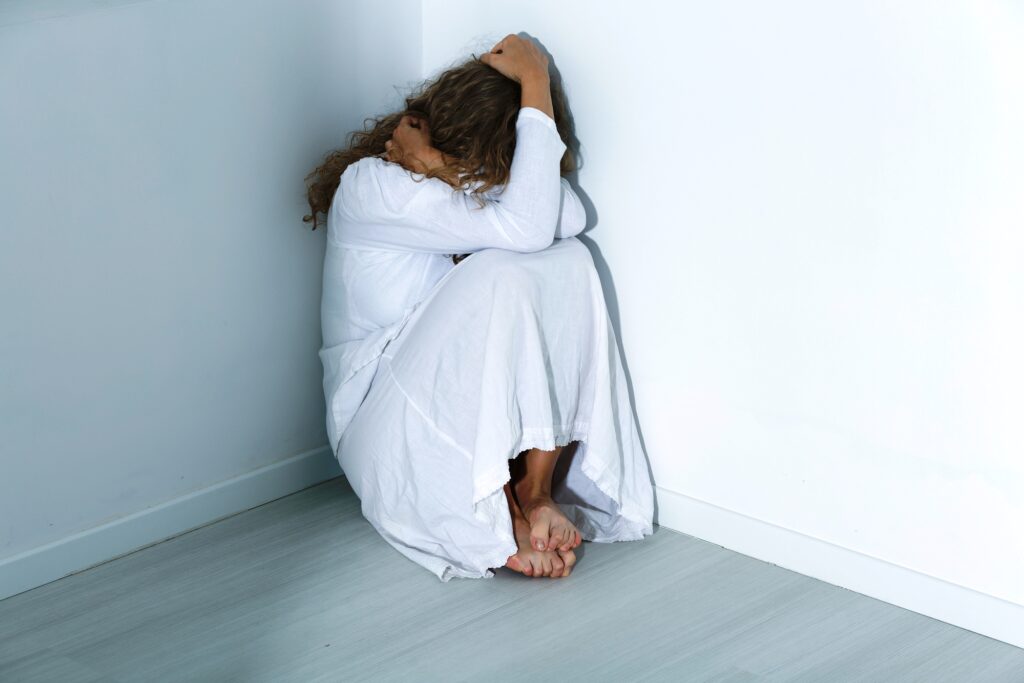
(509, 352)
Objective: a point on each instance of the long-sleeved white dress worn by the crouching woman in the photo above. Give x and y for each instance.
(436, 375)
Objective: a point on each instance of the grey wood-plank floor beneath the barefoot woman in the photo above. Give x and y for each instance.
(304, 589)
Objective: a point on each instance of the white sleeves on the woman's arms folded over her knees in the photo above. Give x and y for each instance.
(379, 204)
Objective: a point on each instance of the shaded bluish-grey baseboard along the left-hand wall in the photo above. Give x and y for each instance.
(96, 546)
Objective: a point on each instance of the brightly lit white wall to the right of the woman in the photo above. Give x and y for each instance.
(812, 221)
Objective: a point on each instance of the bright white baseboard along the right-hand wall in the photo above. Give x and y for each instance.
(906, 588)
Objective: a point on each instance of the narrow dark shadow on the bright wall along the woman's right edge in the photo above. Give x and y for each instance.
(604, 272)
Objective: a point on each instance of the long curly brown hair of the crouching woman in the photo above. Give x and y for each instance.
(472, 110)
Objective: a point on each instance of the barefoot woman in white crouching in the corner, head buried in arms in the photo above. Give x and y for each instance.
(476, 397)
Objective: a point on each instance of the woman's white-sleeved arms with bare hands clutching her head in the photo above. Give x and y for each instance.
(379, 205)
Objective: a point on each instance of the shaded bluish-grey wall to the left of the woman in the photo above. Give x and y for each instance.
(159, 293)
